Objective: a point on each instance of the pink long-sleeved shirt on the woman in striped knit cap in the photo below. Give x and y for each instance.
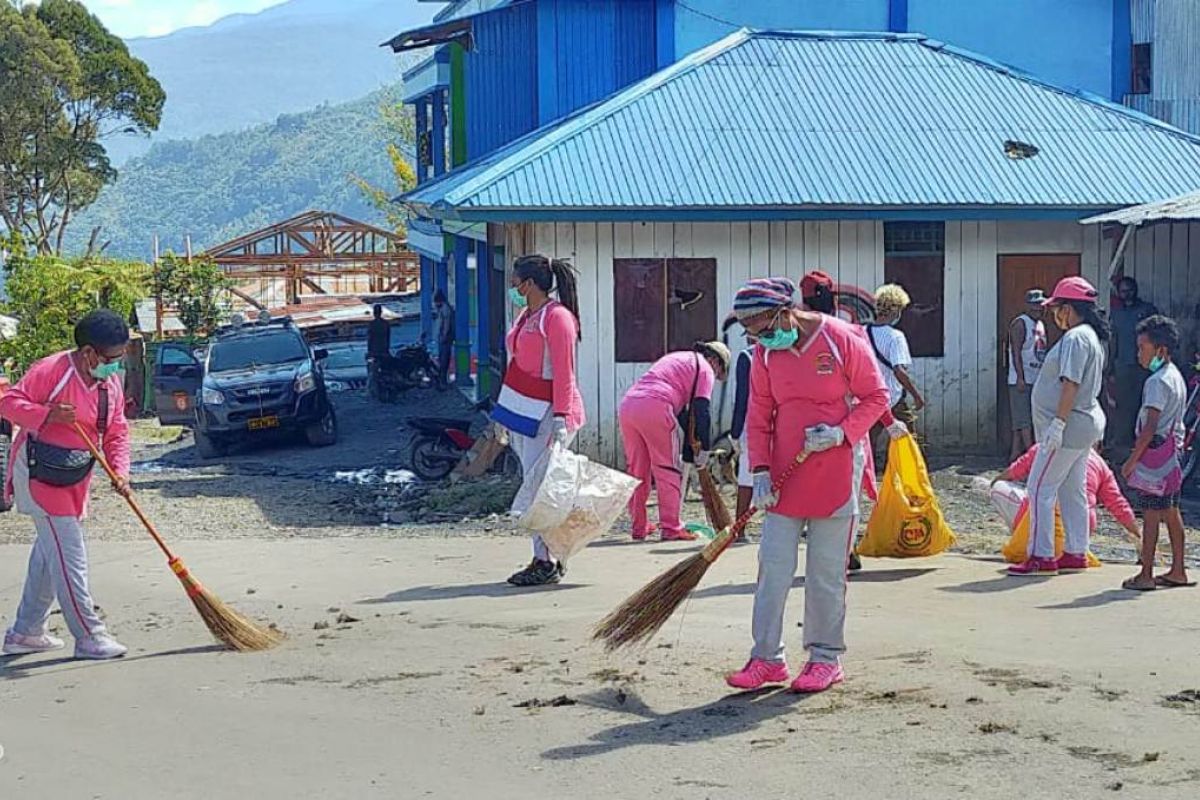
(831, 378)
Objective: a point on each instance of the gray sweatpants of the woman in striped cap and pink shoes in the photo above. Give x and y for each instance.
(827, 552)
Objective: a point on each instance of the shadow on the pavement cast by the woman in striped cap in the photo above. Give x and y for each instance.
(730, 717)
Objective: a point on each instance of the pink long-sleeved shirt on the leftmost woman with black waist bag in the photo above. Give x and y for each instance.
(27, 406)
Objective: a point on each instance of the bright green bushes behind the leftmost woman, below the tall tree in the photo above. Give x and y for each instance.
(49, 296)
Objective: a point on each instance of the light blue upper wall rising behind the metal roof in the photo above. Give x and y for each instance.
(1067, 43)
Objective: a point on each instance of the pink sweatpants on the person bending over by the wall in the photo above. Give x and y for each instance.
(653, 452)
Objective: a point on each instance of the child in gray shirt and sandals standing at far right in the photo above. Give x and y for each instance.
(1154, 467)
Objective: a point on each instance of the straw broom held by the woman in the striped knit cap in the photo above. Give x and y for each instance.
(641, 617)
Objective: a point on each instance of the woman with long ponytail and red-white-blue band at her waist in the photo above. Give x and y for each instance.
(541, 402)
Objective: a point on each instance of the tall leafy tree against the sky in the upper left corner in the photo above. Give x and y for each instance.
(67, 83)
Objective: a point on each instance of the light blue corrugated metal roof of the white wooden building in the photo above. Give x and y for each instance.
(805, 125)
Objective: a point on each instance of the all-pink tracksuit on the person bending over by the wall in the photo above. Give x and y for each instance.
(651, 435)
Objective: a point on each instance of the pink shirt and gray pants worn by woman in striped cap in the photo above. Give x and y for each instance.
(833, 380)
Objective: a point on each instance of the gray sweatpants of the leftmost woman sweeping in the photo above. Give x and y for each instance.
(58, 569)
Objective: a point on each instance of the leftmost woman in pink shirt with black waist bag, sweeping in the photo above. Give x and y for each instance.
(77, 387)
